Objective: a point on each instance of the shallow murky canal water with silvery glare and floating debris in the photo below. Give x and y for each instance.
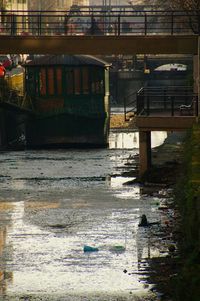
(53, 203)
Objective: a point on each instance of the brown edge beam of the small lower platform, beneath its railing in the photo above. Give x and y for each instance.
(174, 123)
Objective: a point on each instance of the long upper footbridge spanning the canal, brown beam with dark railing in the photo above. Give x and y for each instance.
(121, 30)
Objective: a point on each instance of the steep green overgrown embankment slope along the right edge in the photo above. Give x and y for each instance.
(188, 198)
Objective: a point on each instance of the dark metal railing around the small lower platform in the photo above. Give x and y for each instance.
(166, 101)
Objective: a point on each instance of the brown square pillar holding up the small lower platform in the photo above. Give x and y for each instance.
(144, 151)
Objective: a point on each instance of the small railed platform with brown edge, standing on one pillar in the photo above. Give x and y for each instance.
(162, 109)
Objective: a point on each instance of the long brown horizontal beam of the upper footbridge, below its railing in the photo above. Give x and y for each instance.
(94, 45)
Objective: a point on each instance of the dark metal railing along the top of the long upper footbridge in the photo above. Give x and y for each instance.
(113, 22)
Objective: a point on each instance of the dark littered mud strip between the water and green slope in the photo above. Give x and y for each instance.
(161, 182)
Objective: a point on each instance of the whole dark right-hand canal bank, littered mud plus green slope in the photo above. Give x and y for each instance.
(175, 171)
